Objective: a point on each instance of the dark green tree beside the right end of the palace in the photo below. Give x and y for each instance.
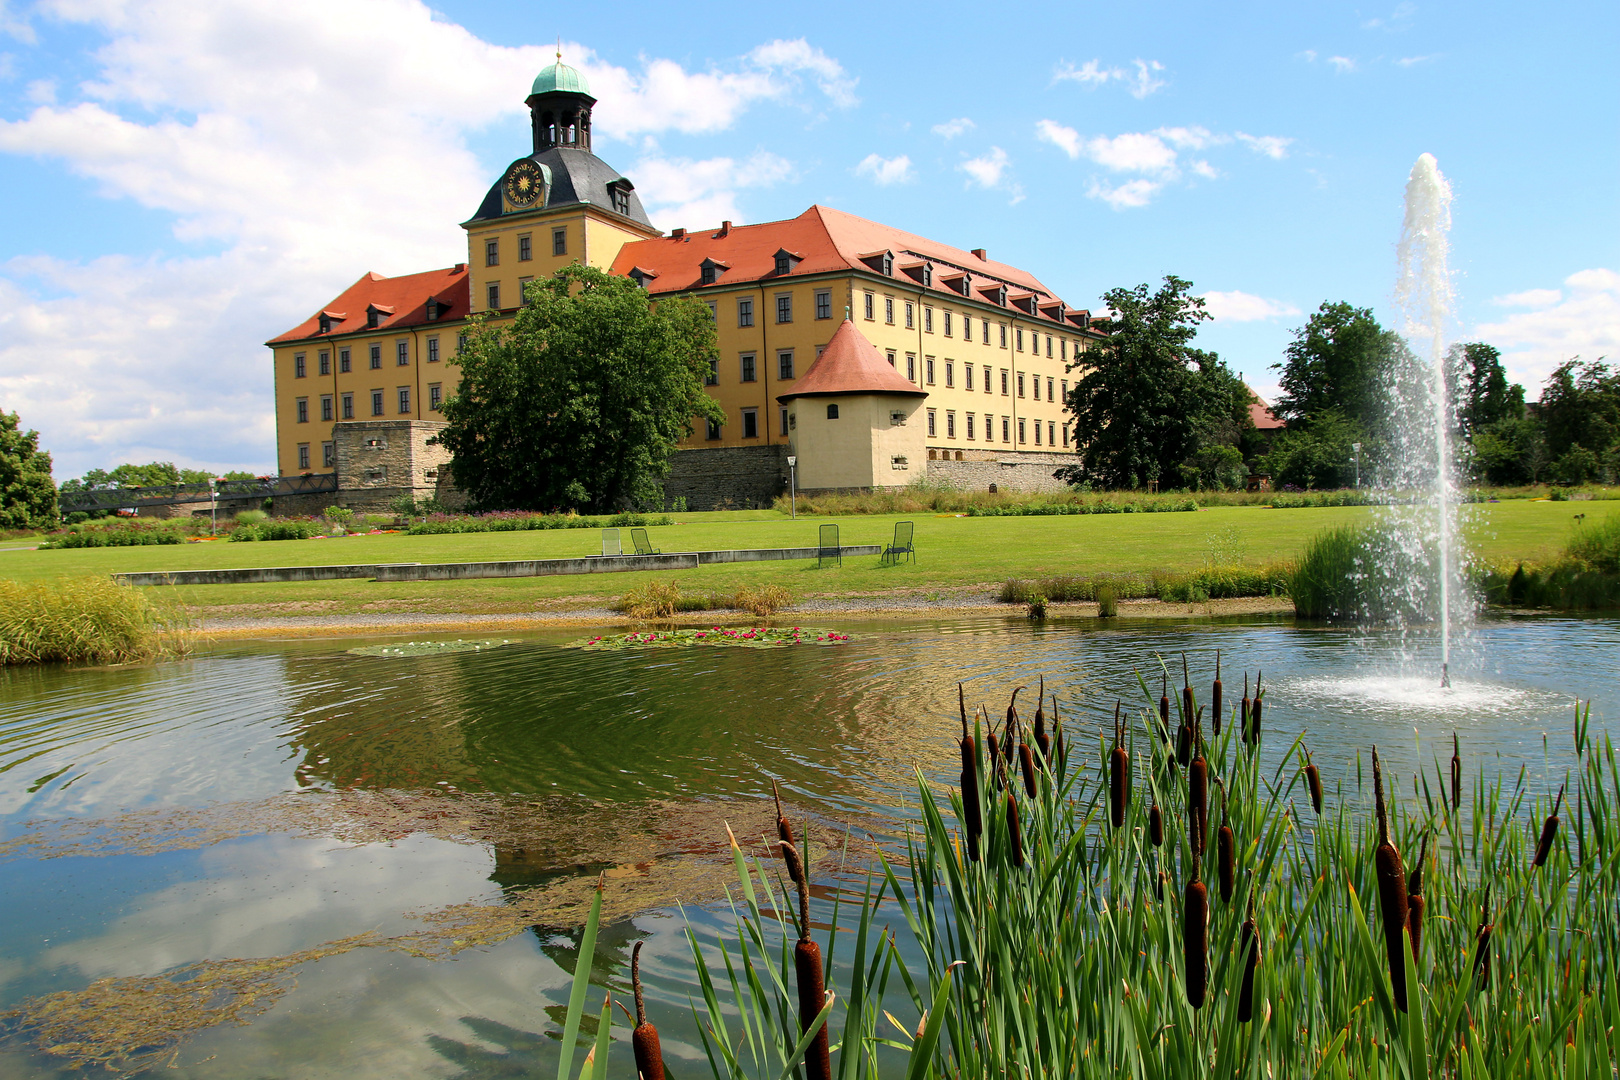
(1151, 407)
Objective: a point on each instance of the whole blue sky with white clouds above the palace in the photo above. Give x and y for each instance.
(190, 179)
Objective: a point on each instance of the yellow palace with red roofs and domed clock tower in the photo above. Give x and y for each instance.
(978, 351)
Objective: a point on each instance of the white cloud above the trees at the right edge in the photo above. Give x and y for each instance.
(1582, 320)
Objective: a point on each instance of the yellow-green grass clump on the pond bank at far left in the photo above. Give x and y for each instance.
(87, 621)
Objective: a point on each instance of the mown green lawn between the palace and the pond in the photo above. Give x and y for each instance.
(953, 553)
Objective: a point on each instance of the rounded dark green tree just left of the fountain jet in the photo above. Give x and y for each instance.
(1341, 360)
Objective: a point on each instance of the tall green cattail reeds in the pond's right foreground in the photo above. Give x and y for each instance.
(1080, 958)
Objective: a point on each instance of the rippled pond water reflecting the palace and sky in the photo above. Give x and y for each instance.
(399, 846)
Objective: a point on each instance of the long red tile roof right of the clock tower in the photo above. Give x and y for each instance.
(825, 240)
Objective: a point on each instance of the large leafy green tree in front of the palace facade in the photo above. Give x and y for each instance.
(579, 402)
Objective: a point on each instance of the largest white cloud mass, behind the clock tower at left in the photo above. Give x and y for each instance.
(289, 140)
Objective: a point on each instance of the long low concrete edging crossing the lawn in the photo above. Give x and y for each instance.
(463, 571)
